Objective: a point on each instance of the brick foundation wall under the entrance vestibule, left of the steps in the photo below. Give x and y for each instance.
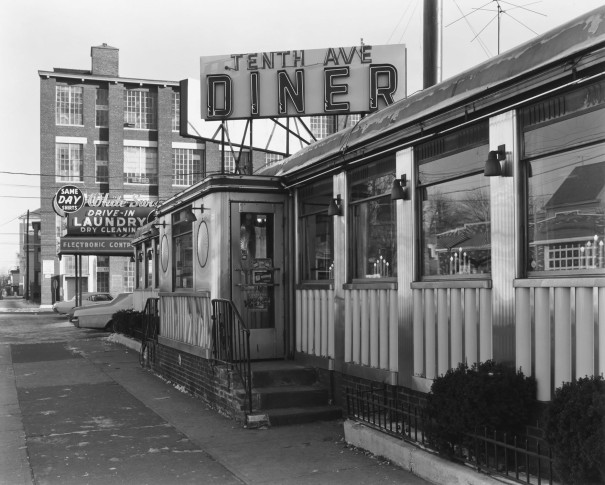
(214, 384)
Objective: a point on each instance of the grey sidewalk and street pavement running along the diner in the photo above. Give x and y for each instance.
(77, 408)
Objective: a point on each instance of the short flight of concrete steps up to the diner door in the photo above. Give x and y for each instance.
(288, 393)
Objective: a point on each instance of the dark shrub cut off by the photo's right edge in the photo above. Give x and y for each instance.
(575, 428)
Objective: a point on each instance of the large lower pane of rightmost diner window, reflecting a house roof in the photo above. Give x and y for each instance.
(566, 211)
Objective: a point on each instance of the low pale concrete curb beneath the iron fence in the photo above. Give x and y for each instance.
(425, 465)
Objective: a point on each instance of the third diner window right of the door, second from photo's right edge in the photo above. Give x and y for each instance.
(455, 204)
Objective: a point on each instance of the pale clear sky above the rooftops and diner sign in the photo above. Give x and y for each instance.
(164, 39)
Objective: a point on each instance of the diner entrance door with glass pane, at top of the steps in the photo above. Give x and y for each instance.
(257, 257)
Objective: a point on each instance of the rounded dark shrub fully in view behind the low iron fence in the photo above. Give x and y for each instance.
(467, 400)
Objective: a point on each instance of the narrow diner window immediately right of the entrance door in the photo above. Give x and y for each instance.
(316, 232)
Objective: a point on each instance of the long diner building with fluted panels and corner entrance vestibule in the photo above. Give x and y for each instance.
(463, 223)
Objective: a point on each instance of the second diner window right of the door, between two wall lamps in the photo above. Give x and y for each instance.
(373, 231)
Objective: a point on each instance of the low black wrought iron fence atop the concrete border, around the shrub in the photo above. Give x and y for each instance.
(521, 459)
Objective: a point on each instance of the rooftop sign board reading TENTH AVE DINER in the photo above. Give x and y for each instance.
(332, 81)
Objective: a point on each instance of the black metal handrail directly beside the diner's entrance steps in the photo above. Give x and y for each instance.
(231, 342)
